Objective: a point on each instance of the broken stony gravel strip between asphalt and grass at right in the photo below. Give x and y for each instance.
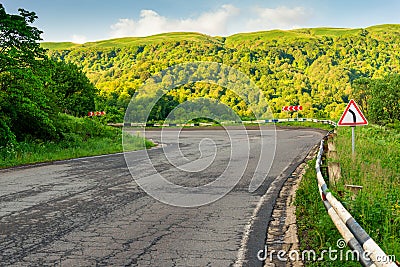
(282, 229)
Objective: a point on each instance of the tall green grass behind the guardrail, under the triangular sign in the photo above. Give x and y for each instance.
(376, 167)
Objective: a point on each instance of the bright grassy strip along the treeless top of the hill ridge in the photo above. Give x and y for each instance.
(289, 35)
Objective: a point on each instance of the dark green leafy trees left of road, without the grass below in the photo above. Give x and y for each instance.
(33, 88)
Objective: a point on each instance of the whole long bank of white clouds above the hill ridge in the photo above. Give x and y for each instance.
(224, 21)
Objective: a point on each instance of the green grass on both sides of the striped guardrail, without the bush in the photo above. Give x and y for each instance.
(376, 207)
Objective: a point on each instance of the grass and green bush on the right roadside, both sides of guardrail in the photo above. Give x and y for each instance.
(375, 167)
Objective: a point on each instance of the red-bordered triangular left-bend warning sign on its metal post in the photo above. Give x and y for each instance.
(352, 116)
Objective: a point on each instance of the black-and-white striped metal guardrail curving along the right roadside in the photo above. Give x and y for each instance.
(354, 235)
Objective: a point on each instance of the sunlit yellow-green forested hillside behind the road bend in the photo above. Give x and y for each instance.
(314, 68)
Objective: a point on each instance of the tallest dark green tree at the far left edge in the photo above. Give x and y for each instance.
(25, 108)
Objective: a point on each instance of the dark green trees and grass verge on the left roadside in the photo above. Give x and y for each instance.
(44, 102)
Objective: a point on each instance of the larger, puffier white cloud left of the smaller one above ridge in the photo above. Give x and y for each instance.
(150, 22)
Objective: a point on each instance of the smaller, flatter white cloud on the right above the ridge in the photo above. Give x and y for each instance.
(280, 17)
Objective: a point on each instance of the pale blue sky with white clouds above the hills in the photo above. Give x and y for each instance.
(82, 21)
